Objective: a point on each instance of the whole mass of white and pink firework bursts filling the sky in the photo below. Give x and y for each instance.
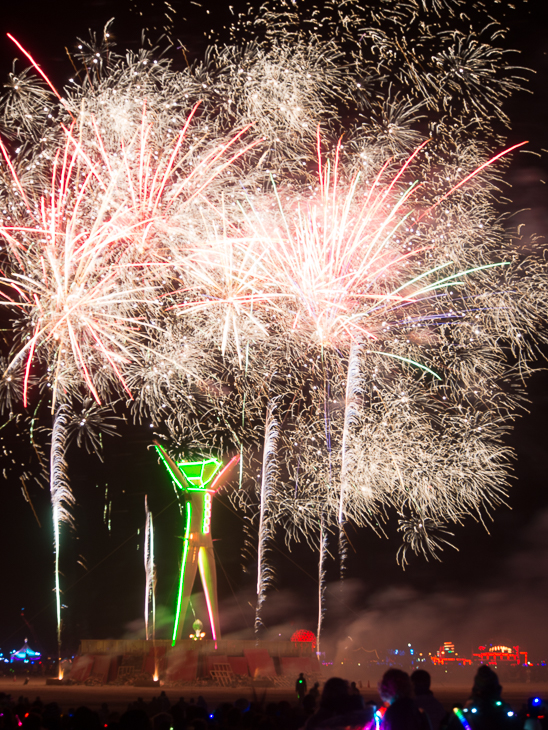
(376, 302)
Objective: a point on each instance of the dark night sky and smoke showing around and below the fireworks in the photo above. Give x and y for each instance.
(494, 589)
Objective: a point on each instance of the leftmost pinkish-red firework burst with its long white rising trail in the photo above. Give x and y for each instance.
(81, 258)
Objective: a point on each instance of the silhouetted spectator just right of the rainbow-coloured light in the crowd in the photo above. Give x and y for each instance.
(402, 713)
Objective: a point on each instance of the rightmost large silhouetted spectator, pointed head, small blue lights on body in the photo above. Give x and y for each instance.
(485, 710)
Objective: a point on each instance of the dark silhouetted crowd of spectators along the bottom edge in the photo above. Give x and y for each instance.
(406, 703)
